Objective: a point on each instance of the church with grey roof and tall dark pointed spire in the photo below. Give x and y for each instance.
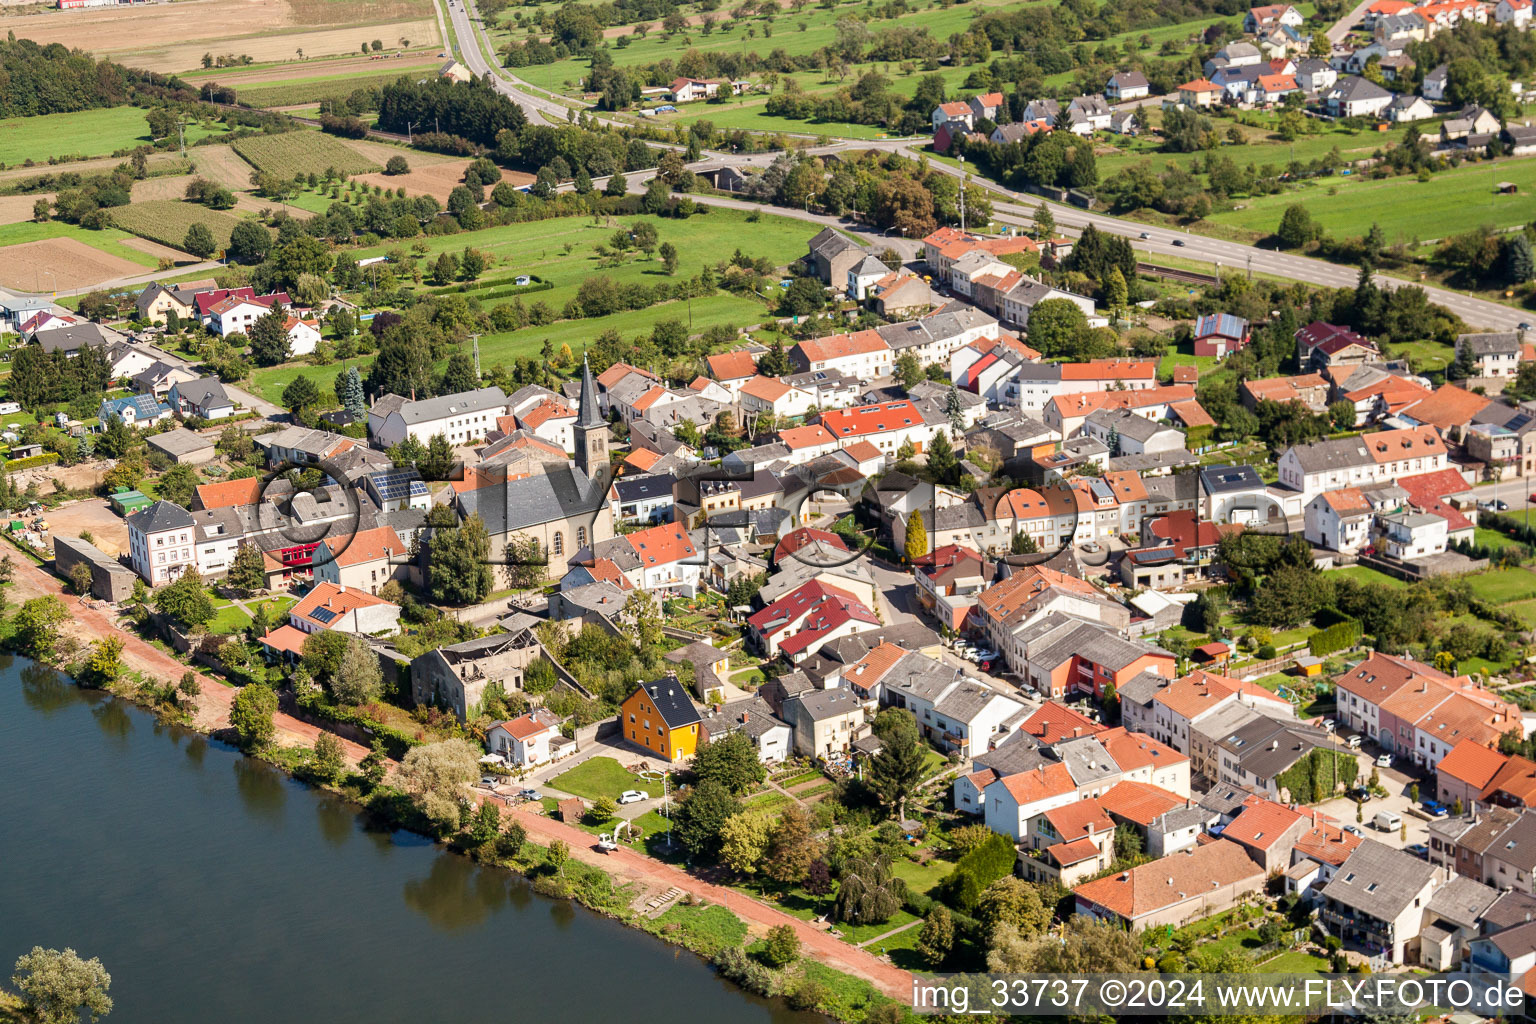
(564, 506)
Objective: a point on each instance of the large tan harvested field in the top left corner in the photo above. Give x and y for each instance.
(174, 38)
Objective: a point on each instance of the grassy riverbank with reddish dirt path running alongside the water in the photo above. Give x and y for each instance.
(833, 977)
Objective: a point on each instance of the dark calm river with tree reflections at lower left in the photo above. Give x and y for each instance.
(214, 888)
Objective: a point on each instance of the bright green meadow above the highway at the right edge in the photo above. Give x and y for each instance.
(1405, 208)
